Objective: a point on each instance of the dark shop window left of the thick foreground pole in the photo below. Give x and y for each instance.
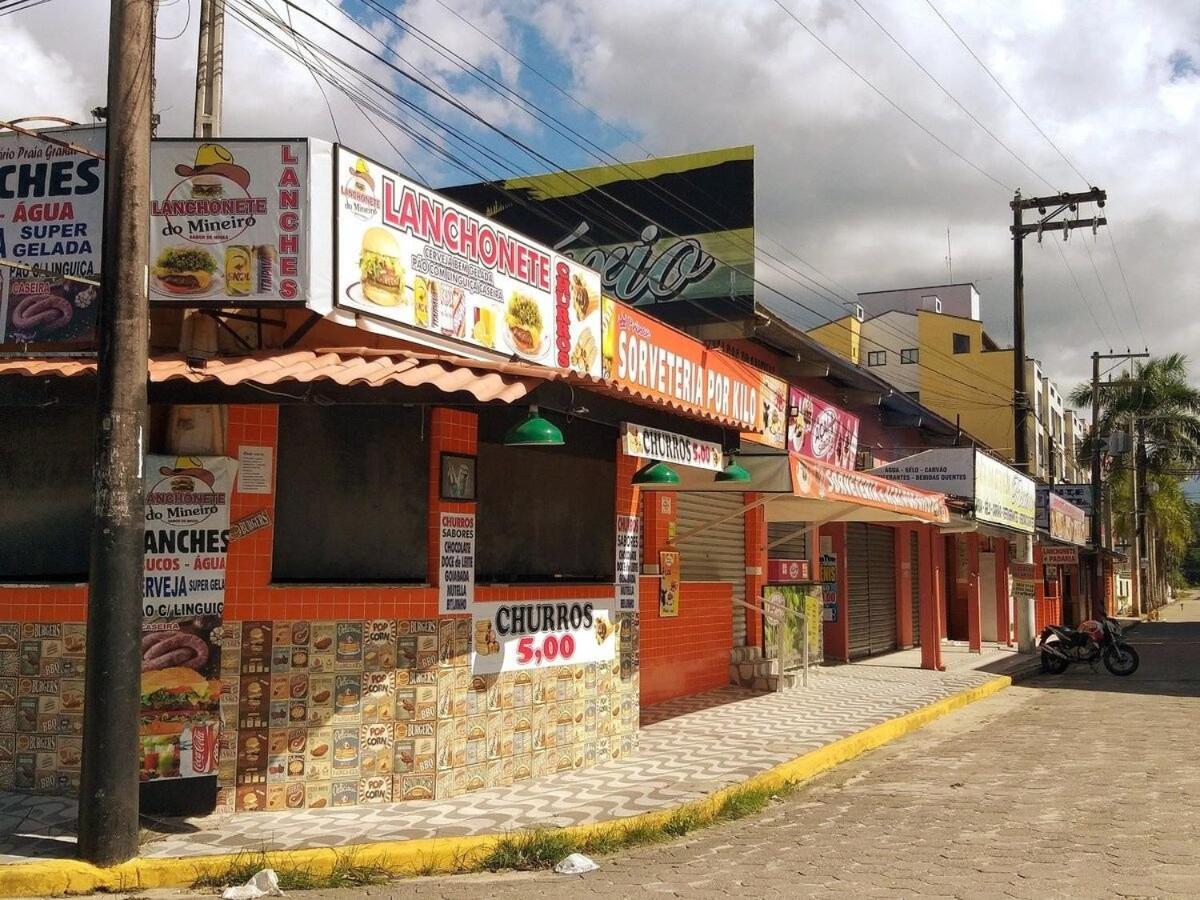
(46, 458)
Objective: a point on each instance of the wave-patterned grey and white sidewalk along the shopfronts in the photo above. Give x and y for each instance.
(689, 751)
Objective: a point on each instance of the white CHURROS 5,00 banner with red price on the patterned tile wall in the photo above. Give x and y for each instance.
(523, 637)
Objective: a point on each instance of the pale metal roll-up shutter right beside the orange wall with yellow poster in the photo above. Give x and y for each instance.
(718, 554)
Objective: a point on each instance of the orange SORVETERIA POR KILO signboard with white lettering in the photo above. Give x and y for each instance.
(655, 361)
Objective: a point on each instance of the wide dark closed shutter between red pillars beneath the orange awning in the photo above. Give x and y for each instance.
(872, 569)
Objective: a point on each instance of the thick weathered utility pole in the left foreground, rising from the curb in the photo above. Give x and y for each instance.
(109, 793)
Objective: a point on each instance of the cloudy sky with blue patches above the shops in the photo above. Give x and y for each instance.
(845, 183)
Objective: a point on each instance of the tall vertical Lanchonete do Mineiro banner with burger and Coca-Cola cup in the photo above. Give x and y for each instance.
(187, 539)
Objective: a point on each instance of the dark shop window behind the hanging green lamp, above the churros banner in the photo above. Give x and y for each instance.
(547, 514)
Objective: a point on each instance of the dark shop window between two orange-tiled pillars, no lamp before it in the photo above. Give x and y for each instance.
(352, 495)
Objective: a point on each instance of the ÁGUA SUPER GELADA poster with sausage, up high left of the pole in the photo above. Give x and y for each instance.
(51, 215)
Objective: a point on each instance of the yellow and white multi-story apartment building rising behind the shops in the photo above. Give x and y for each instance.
(931, 344)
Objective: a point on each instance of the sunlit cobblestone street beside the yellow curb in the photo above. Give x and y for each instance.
(1083, 787)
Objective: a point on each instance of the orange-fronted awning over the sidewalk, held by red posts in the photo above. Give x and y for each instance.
(800, 490)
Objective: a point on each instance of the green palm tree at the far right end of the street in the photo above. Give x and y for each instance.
(1165, 411)
